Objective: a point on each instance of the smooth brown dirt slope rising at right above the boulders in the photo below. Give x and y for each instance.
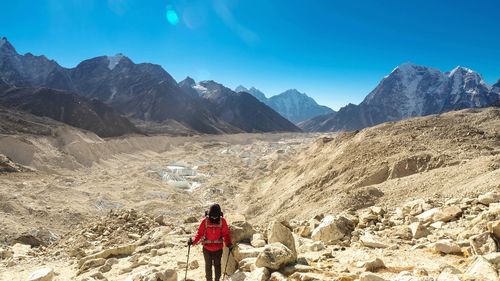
(440, 155)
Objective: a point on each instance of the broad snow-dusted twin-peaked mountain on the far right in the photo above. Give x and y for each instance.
(410, 90)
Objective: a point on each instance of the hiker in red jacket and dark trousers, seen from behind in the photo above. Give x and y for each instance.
(213, 233)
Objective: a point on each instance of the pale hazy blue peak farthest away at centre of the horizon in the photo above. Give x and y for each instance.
(291, 104)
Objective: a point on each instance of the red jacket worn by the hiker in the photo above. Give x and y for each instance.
(213, 232)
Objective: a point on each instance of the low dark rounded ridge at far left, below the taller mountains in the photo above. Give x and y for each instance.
(68, 108)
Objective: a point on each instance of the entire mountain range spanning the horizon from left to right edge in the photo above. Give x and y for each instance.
(112, 96)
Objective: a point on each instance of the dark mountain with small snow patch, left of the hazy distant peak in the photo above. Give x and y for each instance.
(242, 110)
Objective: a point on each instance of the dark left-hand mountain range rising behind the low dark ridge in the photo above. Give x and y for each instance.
(143, 93)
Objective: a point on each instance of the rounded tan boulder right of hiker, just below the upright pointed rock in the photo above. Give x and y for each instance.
(275, 256)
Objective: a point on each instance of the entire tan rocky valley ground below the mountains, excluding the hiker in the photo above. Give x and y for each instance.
(416, 200)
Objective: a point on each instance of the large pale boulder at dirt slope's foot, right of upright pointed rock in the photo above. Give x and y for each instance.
(333, 229)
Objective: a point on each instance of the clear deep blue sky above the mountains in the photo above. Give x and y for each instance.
(335, 51)
